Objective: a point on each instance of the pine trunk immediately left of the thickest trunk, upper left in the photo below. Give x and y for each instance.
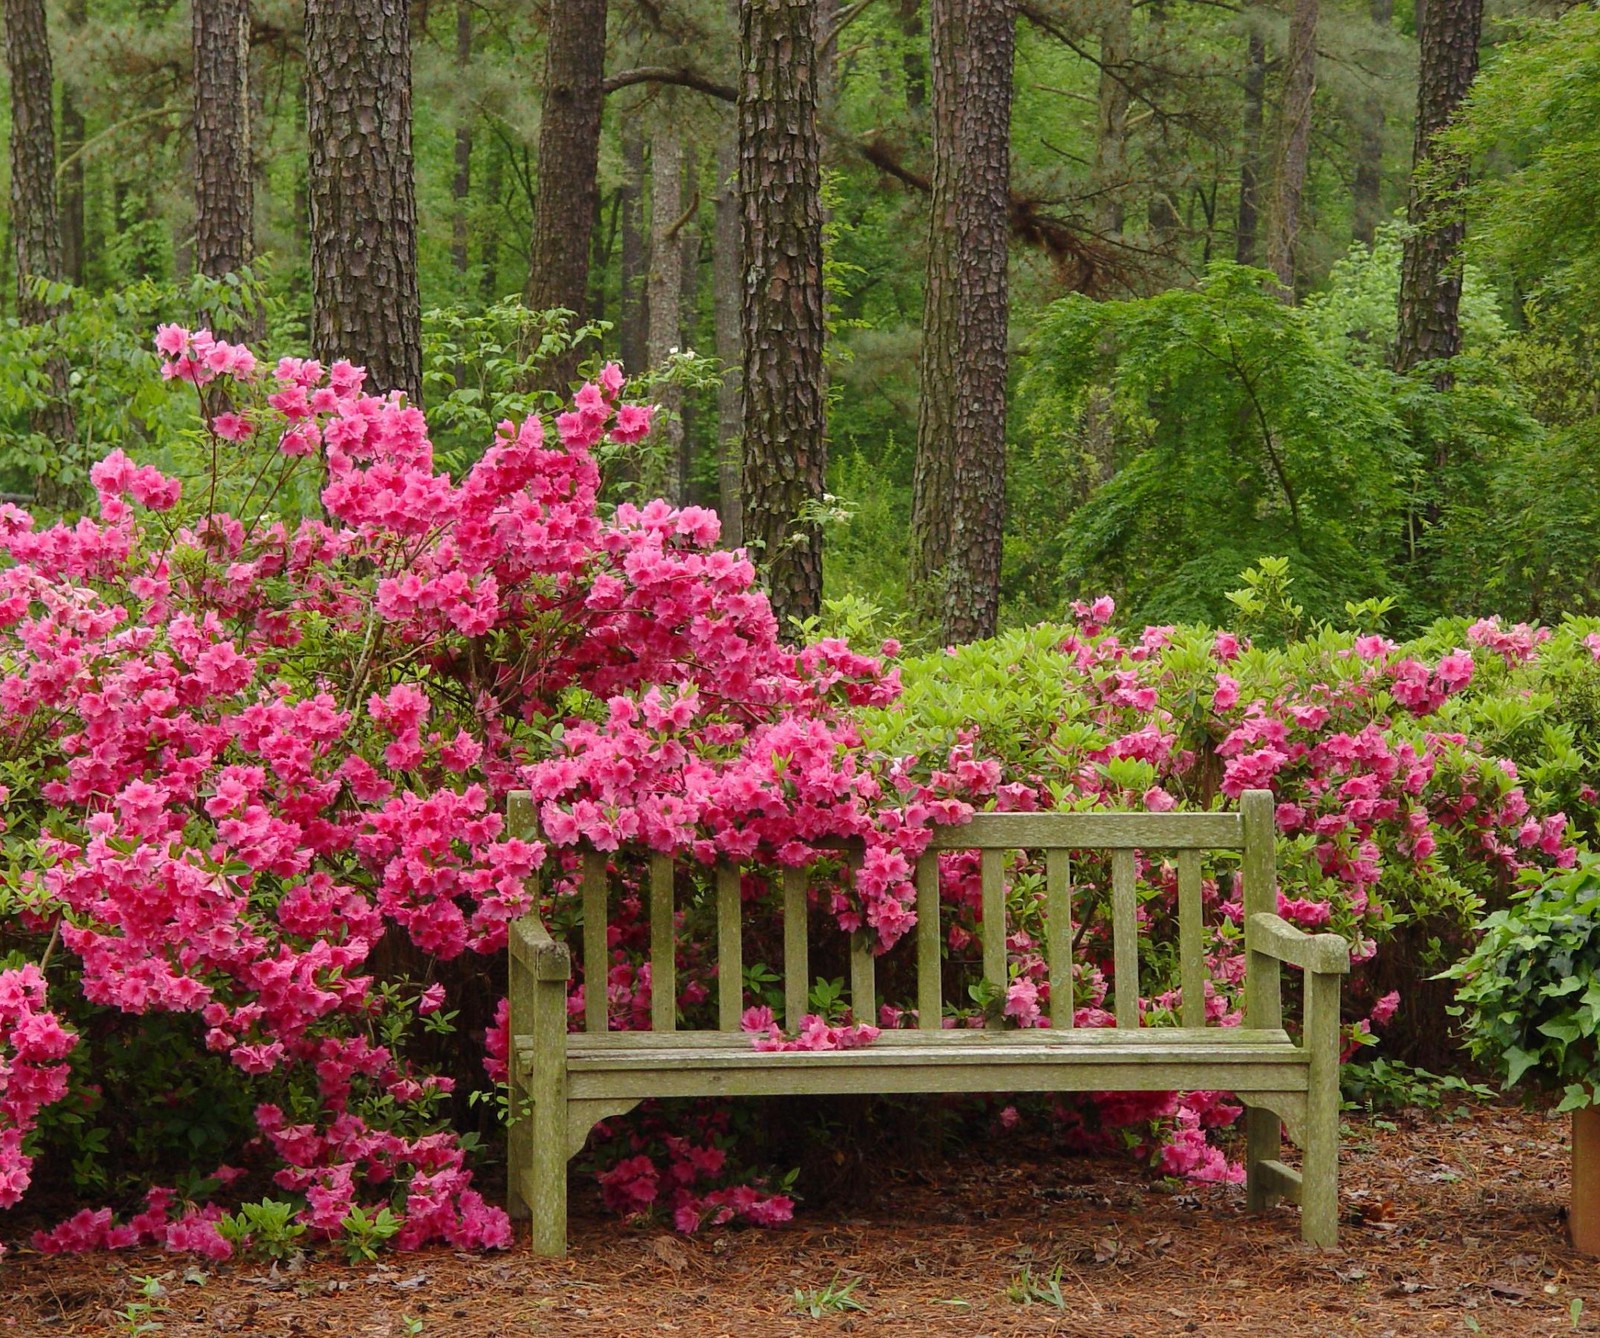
(225, 186)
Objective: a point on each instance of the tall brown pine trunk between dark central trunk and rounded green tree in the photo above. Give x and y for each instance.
(959, 483)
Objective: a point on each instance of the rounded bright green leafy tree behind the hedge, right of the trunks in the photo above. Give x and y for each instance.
(1206, 428)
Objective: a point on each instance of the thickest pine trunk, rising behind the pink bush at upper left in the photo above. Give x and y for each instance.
(364, 284)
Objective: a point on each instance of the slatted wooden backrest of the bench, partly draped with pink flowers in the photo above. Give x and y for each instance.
(1057, 836)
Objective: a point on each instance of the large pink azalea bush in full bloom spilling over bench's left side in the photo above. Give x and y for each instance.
(262, 743)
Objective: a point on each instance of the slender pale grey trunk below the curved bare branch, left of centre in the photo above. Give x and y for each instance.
(660, 471)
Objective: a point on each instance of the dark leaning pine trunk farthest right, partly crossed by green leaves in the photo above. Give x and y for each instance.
(1431, 273)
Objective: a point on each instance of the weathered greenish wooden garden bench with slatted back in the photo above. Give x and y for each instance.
(564, 1084)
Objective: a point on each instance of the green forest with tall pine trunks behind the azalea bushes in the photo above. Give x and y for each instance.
(1161, 419)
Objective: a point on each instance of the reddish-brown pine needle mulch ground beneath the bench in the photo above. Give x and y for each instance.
(1452, 1227)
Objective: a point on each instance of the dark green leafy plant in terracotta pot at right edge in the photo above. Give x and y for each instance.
(1529, 993)
